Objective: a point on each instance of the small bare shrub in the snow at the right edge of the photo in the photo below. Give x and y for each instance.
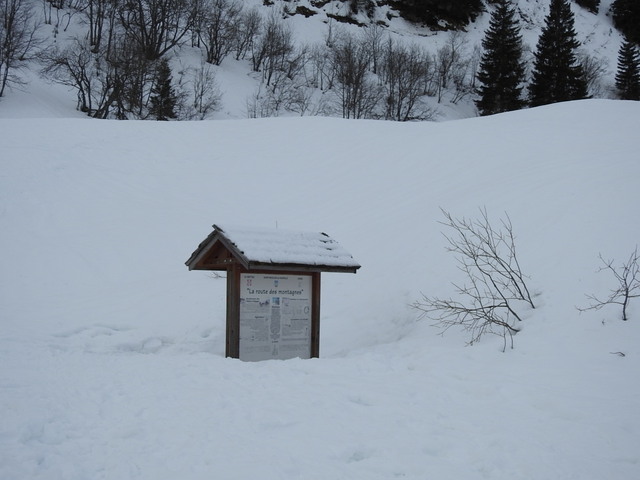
(627, 277)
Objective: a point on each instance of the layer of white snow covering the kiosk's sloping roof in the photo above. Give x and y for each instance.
(274, 245)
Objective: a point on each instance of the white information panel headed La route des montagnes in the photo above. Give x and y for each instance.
(275, 316)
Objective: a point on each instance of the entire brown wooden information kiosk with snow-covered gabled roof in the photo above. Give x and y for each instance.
(273, 287)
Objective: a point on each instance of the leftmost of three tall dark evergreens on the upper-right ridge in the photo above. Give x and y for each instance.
(501, 67)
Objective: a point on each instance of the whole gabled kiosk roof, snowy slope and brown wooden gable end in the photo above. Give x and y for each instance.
(270, 249)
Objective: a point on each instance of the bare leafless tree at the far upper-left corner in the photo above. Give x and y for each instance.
(18, 41)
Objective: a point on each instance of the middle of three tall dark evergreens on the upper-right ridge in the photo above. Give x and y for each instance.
(557, 74)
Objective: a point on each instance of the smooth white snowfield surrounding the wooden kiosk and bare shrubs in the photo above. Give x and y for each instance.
(112, 353)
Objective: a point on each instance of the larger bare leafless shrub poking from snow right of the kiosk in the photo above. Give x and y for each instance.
(494, 284)
